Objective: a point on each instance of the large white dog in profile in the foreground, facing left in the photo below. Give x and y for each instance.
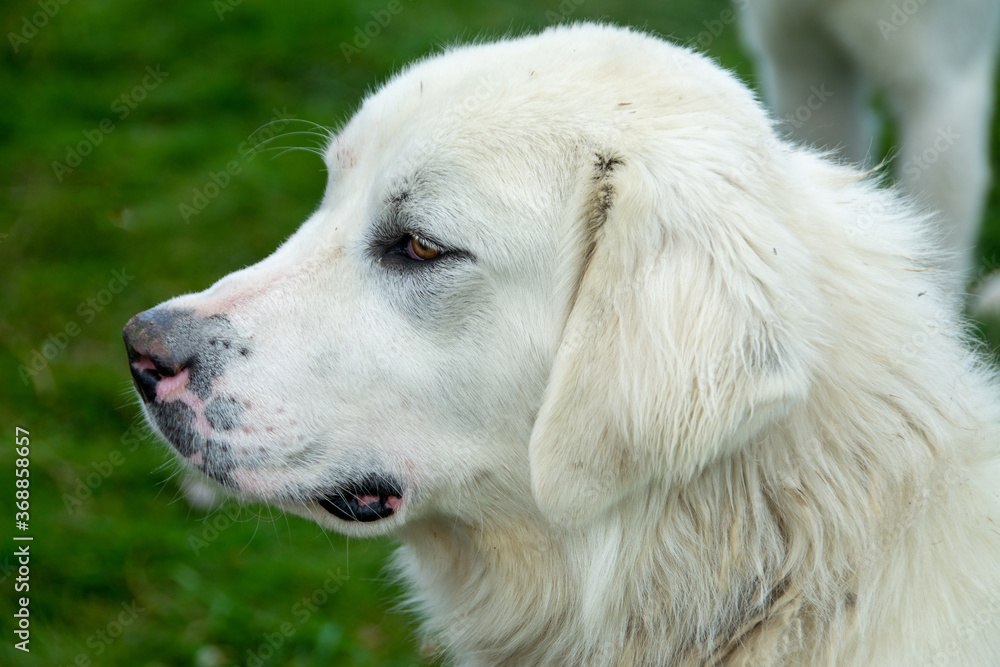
(633, 381)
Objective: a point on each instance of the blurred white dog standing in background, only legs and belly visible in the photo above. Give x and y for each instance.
(935, 62)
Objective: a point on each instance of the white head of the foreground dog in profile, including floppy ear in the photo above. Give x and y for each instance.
(543, 269)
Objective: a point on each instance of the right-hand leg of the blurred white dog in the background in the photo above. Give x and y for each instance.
(943, 103)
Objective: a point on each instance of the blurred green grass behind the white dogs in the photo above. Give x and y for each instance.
(133, 539)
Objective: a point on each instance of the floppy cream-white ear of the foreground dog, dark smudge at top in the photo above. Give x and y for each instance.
(677, 349)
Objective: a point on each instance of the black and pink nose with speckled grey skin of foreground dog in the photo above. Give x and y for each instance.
(170, 350)
